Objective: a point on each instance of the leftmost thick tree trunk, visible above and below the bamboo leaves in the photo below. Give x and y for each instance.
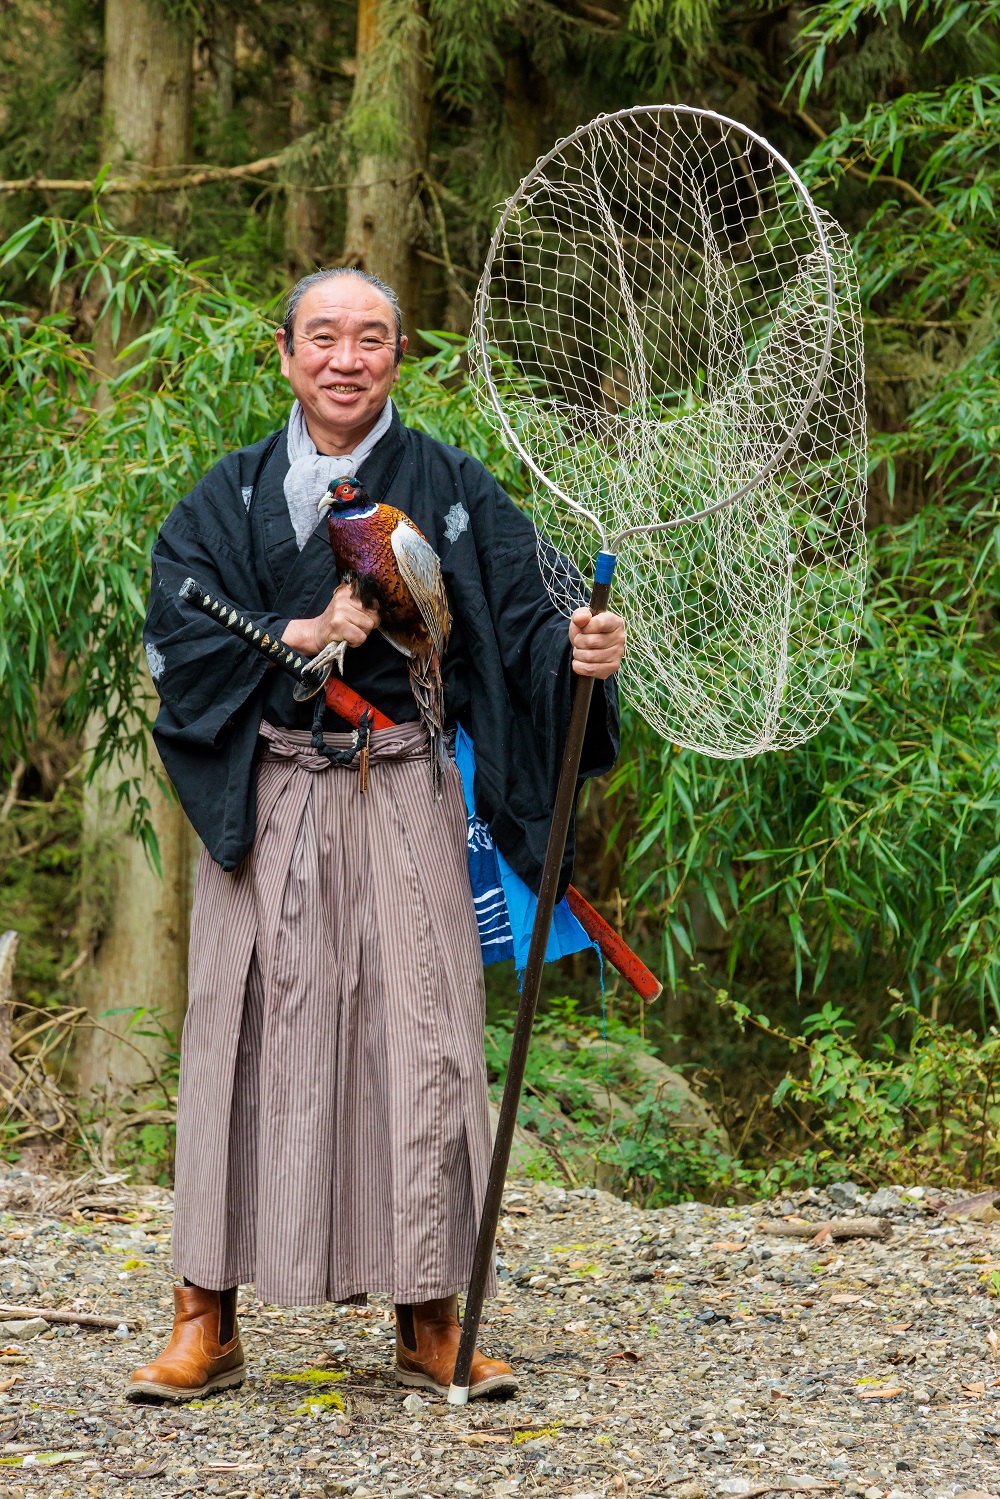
(142, 924)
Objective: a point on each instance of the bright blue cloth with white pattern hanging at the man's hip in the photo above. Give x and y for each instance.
(504, 906)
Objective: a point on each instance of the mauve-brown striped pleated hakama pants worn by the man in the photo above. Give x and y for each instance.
(332, 1126)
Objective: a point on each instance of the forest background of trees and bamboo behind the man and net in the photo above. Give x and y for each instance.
(827, 921)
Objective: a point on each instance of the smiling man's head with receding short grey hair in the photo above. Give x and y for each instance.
(343, 364)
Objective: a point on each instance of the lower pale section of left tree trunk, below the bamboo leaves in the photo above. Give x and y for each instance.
(140, 924)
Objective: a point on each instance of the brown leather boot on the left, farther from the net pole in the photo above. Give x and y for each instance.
(196, 1363)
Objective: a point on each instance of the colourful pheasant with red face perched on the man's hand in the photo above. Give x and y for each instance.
(392, 566)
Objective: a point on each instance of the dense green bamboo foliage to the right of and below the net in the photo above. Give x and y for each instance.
(872, 855)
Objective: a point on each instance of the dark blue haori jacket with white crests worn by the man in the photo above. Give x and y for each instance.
(507, 669)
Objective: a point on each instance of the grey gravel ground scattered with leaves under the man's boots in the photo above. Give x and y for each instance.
(677, 1353)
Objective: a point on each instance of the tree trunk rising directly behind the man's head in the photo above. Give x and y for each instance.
(385, 199)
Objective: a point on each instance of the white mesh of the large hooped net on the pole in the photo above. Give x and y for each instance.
(663, 317)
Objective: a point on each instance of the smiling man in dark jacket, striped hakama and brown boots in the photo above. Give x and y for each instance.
(332, 1131)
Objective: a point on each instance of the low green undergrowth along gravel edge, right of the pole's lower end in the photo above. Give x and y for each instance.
(924, 1107)
